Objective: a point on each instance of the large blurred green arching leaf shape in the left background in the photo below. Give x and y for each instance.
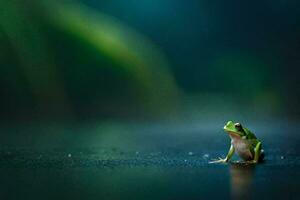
(63, 57)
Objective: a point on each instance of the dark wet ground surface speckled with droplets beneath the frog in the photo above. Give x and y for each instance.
(144, 162)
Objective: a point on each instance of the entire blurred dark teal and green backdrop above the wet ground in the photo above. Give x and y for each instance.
(195, 53)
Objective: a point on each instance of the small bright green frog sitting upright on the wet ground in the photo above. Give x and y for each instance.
(244, 143)
